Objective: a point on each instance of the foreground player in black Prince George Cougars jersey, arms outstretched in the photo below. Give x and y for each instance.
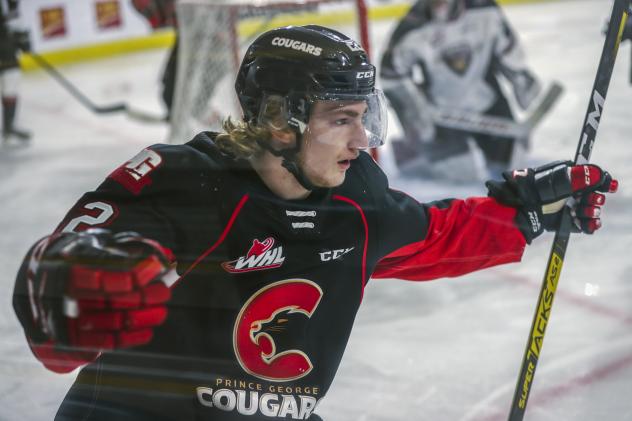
(219, 279)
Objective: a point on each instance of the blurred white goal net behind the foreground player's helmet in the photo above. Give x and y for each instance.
(213, 35)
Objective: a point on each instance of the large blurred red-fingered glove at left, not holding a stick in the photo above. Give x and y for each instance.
(93, 290)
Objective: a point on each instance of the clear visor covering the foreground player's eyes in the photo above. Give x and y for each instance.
(357, 121)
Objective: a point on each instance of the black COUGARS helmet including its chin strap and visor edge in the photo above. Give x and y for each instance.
(291, 68)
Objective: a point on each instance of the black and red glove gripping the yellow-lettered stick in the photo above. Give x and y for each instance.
(540, 194)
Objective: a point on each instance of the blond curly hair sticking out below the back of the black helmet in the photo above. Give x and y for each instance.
(245, 139)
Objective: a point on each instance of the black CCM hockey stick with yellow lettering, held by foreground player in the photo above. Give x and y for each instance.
(562, 235)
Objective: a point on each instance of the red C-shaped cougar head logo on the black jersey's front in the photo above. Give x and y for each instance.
(268, 332)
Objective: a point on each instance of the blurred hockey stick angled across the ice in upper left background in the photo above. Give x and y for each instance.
(86, 102)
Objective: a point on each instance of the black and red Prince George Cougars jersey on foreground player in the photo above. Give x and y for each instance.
(268, 288)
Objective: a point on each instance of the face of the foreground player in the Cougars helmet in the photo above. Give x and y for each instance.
(333, 138)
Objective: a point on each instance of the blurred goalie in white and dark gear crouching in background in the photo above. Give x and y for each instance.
(452, 54)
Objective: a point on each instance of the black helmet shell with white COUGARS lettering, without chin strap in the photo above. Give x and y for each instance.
(304, 64)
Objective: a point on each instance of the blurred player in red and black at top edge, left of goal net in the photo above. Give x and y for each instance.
(162, 14)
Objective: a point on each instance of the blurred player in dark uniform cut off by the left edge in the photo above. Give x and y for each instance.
(12, 40)
